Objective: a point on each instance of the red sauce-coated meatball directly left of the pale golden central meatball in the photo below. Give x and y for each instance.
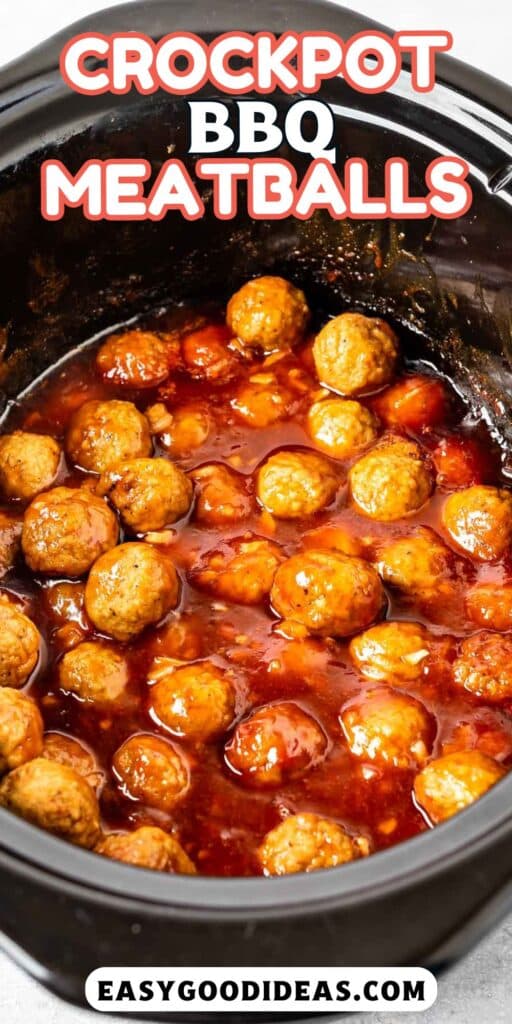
(223, 496)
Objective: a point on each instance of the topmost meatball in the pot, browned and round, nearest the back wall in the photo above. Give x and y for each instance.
(269, 314)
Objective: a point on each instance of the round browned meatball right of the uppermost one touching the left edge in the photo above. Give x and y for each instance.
(103, 434)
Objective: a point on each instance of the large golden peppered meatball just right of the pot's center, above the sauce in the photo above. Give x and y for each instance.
(391, 482)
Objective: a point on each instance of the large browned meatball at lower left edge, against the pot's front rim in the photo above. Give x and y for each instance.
(56, 798)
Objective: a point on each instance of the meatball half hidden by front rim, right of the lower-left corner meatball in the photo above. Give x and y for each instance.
(147, 847)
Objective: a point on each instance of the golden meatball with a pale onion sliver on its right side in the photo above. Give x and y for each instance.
(393, 652)
